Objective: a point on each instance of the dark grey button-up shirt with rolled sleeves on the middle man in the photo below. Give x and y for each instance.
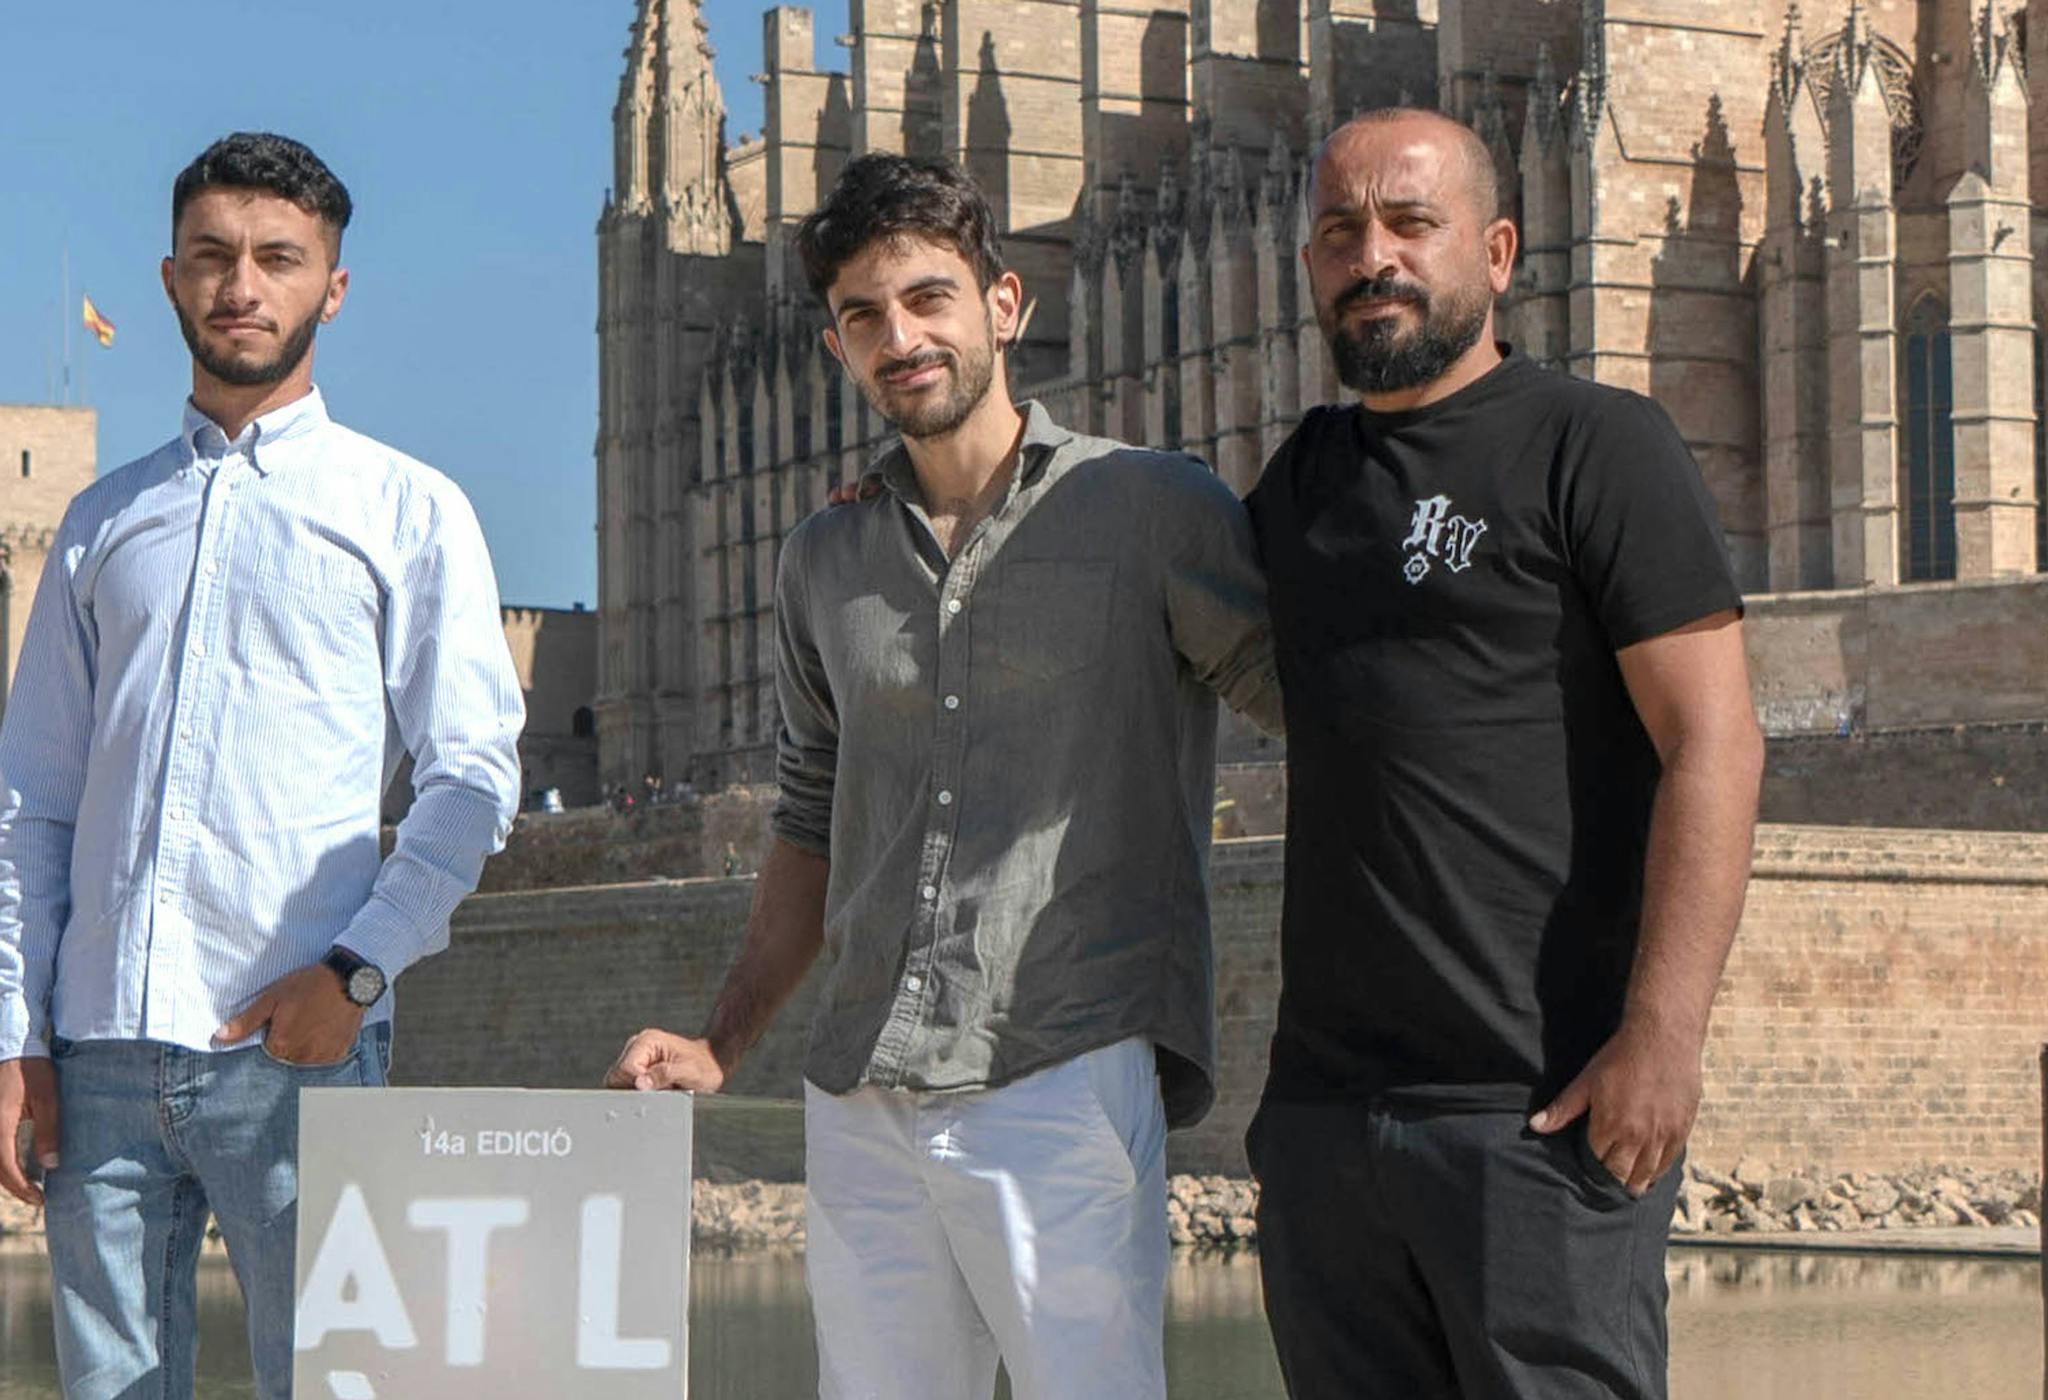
(1011, 762)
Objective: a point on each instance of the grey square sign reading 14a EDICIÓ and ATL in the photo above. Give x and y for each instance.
(493, 1243)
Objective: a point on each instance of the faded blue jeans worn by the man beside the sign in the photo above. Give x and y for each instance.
(153, 1139)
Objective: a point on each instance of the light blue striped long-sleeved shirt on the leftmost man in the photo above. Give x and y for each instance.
(232, 648)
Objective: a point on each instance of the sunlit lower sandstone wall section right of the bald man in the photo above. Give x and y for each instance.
(1885, 1004)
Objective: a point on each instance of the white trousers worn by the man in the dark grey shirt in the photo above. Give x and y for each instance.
(1029, 1223)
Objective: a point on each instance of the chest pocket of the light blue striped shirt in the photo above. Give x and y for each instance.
(310, 617)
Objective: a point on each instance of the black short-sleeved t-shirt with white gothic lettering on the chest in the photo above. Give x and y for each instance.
(1469, 787)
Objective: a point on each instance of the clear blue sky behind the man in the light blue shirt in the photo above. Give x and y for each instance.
(476, 140)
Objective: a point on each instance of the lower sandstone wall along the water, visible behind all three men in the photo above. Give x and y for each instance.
(1883, 1008)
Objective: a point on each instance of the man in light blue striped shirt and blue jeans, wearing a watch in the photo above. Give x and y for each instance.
(237, 642)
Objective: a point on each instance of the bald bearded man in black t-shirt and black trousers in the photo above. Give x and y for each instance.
(1523, 777)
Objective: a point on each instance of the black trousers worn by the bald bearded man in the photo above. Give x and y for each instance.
(1420, 1256)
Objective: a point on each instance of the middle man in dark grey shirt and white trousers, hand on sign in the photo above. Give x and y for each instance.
(998, 769)
